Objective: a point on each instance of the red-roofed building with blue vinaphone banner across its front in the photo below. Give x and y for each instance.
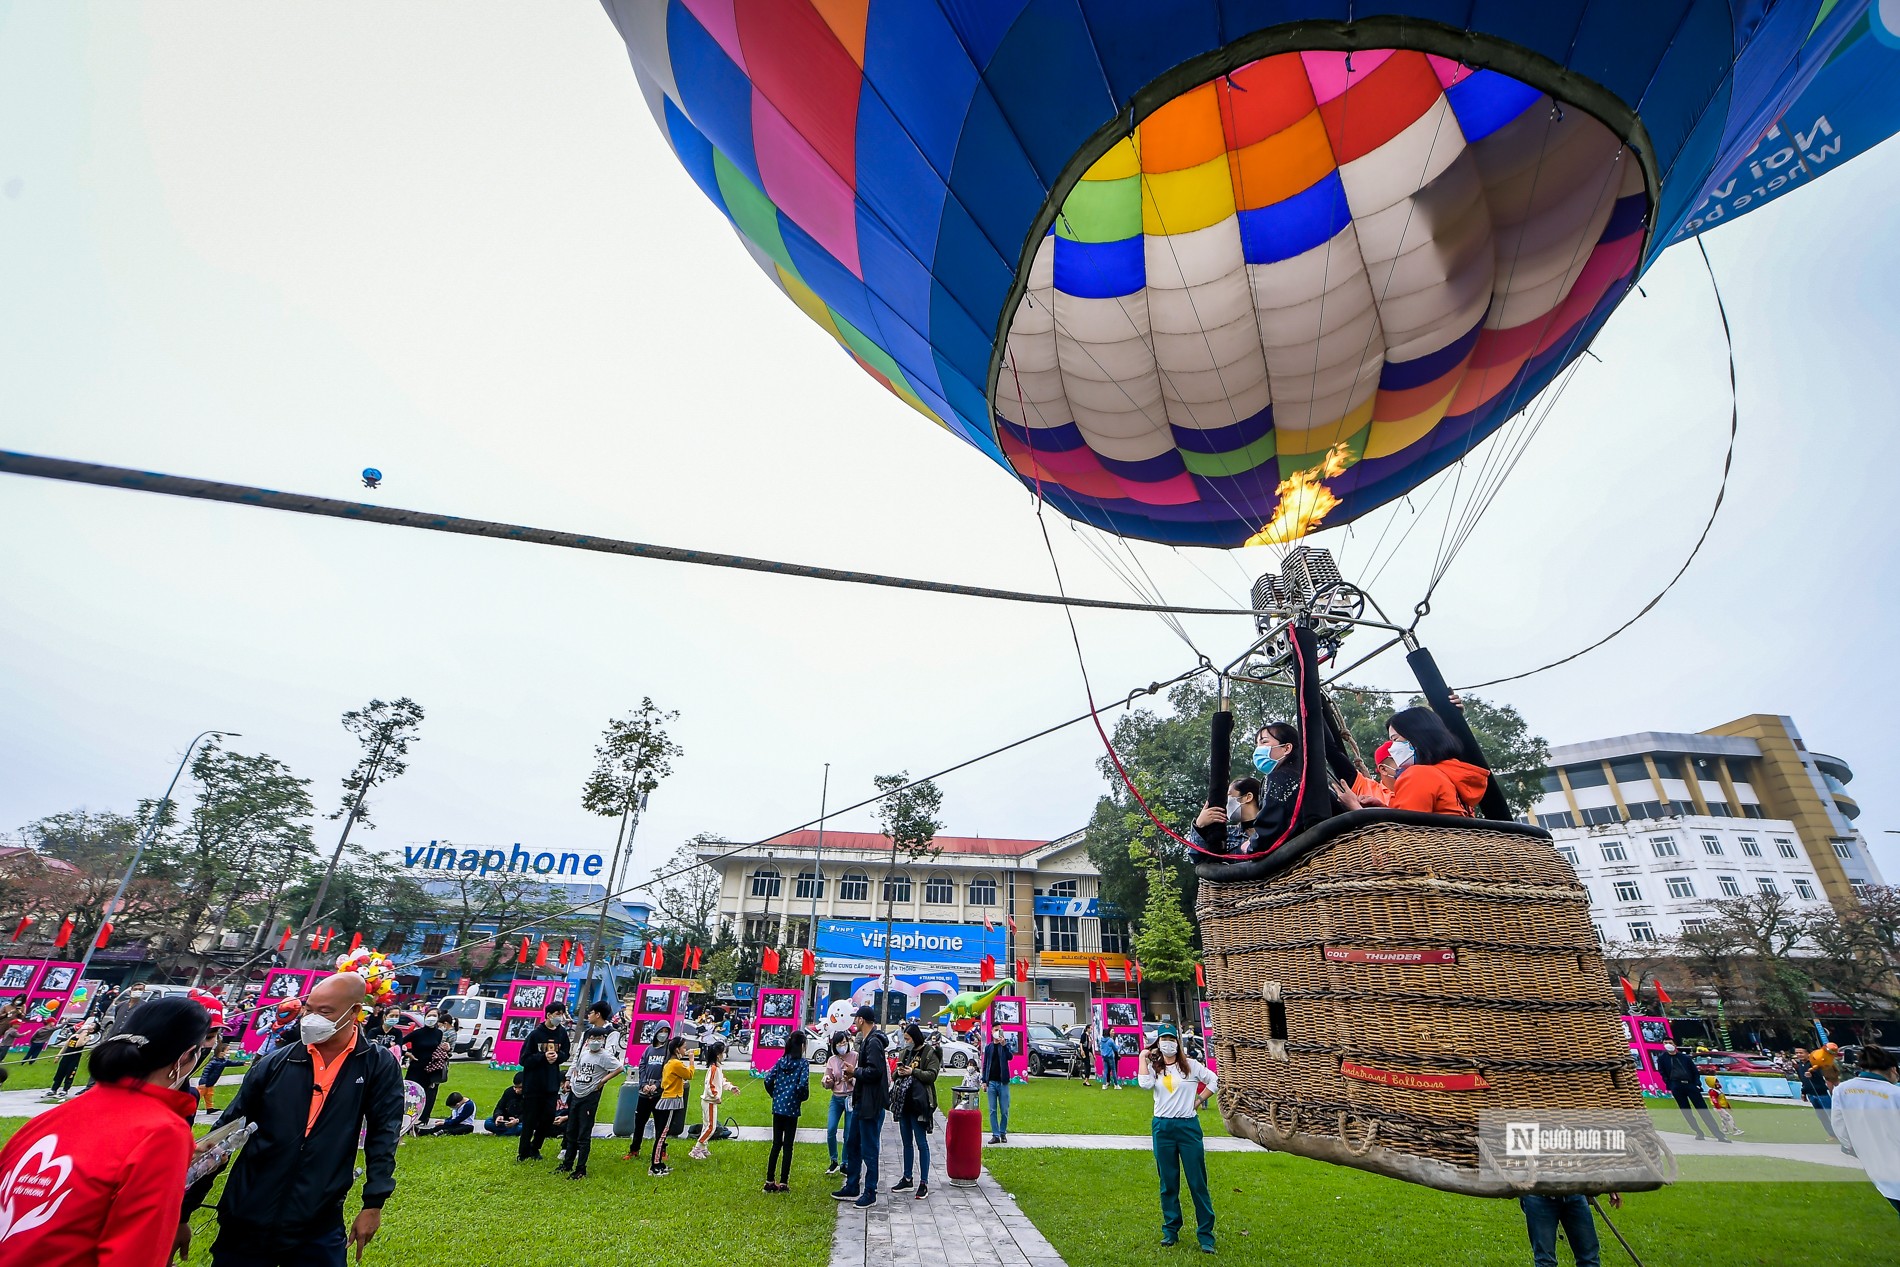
(1035, 901)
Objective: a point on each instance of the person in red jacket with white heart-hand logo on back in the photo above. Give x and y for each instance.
(100, 1179)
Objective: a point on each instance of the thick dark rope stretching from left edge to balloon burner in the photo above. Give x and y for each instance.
(428, 521)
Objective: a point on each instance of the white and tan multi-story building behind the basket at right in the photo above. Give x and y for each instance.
(1662, 823)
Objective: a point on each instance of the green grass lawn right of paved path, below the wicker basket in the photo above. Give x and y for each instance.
(1276, 1209)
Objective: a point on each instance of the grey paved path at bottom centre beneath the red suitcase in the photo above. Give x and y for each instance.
(953, 1228)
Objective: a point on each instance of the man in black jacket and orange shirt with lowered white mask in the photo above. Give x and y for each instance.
(284, 1201)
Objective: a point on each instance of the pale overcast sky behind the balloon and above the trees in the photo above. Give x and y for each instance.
(278, 244)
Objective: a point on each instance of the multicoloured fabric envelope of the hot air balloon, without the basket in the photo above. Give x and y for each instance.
(1209, 273)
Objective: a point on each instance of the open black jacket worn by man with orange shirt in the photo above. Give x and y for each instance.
(288, 1186)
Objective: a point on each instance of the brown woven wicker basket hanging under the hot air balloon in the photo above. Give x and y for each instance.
(1388, 977)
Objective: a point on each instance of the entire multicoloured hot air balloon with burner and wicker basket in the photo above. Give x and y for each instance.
(1223, 273)
